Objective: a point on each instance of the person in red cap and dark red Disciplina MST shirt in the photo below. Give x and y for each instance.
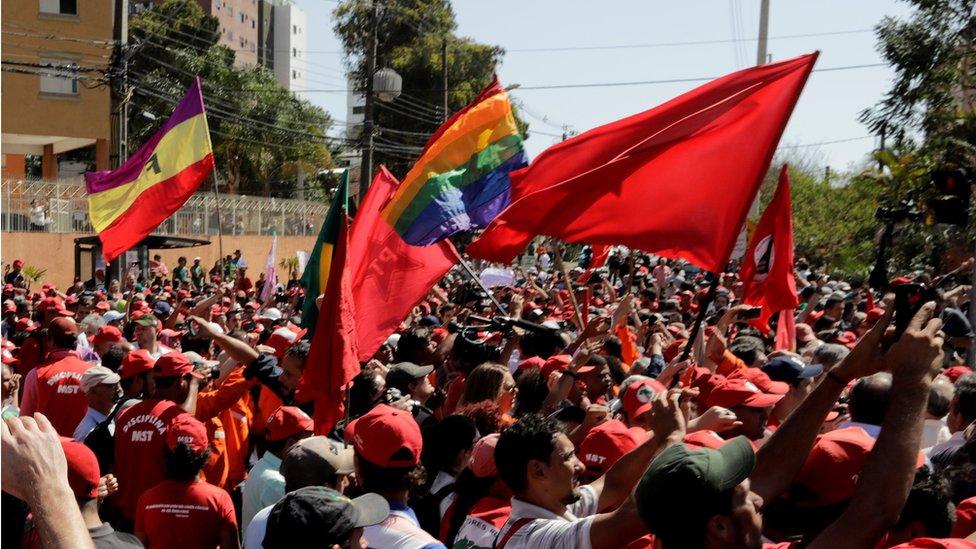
(140, 429)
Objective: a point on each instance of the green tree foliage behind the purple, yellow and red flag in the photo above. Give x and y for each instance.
(261, 133)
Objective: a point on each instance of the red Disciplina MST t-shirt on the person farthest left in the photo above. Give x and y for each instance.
(59, 394)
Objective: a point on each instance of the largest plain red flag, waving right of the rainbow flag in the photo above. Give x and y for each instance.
(676, 180)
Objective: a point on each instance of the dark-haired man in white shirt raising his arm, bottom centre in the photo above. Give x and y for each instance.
(550, 507)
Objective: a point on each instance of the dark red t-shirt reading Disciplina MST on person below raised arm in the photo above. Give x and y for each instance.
(140, 431)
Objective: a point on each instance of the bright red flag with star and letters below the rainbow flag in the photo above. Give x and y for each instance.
(389, 276)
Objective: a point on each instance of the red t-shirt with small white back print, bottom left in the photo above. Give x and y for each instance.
(184, 515)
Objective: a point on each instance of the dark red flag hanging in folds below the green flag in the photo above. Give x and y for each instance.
(333, 356)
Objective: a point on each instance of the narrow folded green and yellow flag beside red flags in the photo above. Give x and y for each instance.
(316, 276)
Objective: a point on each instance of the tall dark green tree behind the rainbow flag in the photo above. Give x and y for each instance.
(411, 35)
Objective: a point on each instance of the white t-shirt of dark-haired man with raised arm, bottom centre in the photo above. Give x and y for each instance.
(571, 529)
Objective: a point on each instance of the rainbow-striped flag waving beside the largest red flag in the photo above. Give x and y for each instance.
(461, 179)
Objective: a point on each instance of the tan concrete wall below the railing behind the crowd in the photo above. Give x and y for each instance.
(55, 252)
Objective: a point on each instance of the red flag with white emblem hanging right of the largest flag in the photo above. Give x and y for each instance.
(767, 267)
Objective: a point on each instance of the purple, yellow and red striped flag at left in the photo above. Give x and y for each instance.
(129, 202)
